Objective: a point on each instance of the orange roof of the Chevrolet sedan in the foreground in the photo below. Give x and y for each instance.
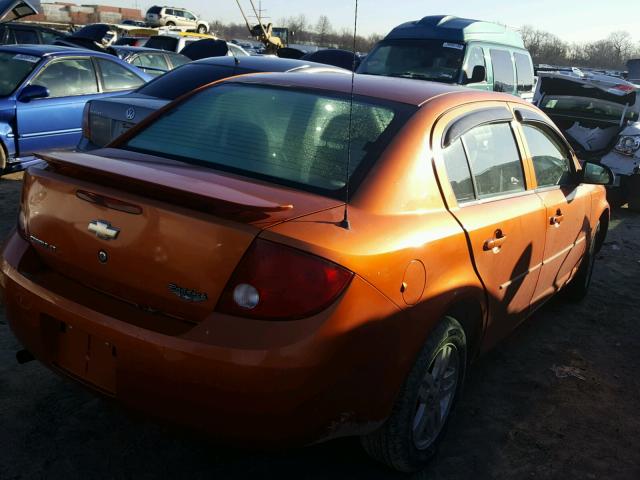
(400, 90)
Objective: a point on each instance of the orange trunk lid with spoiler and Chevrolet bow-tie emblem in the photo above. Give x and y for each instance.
(157, 234)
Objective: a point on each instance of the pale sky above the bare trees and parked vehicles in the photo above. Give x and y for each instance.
(571, 20)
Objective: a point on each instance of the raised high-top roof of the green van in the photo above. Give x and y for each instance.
(455, 29)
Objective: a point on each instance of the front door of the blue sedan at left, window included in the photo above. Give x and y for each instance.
(55, 122)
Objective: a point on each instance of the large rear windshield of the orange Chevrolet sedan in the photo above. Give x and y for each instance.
(290, 137)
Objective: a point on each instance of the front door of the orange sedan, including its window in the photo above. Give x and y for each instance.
(567, 204)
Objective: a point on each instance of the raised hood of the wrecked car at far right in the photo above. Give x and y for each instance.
(579, 84)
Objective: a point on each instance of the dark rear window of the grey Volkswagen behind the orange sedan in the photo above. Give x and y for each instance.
(184, 79)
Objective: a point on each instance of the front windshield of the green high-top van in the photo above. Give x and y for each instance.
(435, 60)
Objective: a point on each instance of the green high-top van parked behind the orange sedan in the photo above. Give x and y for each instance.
(481, 55)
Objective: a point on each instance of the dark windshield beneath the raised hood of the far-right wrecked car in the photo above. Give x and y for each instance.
(587, 107)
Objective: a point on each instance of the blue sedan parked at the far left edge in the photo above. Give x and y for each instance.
(43, 91)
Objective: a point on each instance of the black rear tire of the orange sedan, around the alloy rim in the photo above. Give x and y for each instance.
(395, 443)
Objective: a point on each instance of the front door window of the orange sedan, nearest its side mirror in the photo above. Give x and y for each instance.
(550, 160)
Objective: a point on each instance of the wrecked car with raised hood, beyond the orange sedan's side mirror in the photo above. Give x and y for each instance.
(600, 116)
